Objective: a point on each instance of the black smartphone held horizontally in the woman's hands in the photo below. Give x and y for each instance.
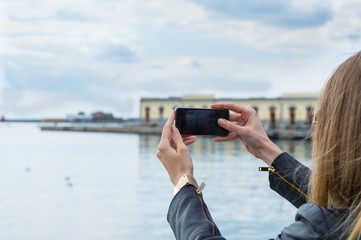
(200, 121)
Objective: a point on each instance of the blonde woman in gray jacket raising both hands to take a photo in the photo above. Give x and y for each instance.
(328, 197)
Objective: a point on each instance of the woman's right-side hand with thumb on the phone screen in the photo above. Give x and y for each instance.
(249, 130)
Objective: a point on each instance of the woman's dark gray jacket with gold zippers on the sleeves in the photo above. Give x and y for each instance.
(189, 217)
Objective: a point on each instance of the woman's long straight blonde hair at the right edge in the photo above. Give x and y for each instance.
(336, 167)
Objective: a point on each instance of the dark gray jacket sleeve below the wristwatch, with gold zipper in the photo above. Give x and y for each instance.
(189, 217)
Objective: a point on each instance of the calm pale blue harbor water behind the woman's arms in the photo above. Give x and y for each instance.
(67, 185)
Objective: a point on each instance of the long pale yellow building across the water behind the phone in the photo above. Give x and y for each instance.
(287, 110)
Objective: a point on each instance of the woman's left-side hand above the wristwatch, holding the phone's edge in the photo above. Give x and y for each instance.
(173, 152)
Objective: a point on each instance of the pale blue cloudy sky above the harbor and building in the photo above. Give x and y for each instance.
(61, 57)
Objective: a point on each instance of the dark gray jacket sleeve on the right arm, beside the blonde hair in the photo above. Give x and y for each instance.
(289, 178)
